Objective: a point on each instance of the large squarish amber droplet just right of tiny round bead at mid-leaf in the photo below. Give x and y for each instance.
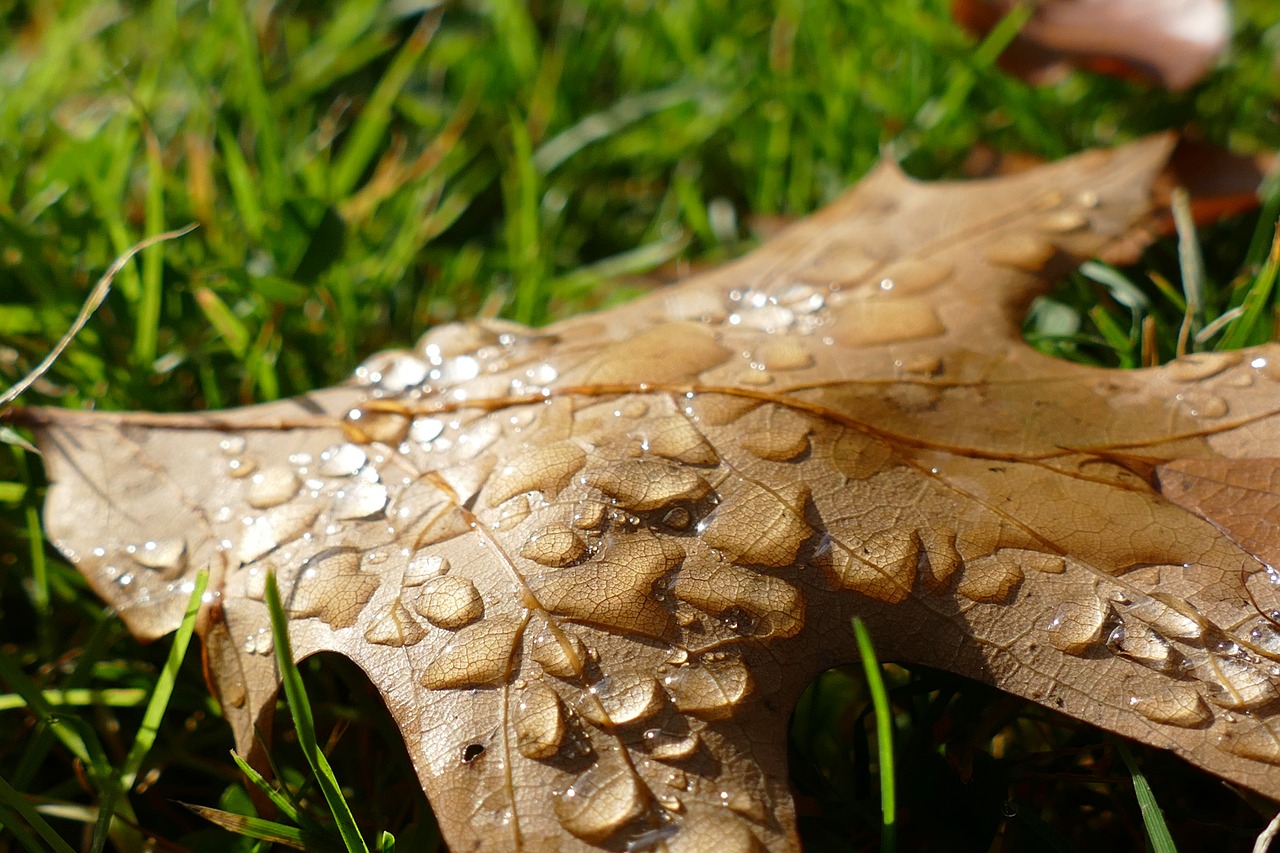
(760, 527)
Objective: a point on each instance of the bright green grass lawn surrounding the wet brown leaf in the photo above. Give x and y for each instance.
(363, 174)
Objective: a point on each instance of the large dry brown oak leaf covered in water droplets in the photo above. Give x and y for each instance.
(592, 567)
